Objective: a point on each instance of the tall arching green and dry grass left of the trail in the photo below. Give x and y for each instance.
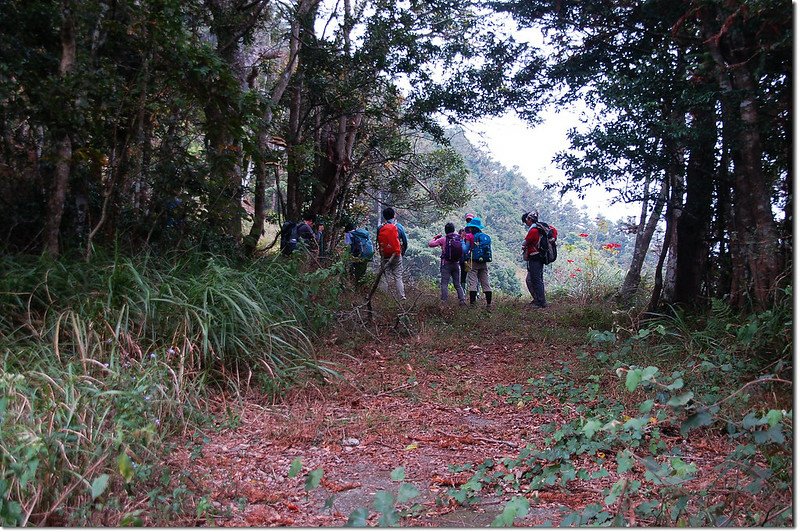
(102, 362)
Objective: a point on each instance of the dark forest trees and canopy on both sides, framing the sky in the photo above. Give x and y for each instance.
(154, 121)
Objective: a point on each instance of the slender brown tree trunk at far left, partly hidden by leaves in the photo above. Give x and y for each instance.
(61, 175)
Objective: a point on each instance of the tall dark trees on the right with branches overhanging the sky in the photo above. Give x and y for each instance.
(622, 57)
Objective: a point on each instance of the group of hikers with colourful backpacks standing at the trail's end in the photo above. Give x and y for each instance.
(464, 257)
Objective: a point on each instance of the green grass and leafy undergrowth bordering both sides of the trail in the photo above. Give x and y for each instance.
(108, 366)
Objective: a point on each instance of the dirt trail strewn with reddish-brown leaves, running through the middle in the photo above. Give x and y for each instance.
(402, 404)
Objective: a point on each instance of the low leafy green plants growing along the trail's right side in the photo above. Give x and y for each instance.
(653, 478)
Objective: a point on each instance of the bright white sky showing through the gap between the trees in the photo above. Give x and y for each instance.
(531, 149)
